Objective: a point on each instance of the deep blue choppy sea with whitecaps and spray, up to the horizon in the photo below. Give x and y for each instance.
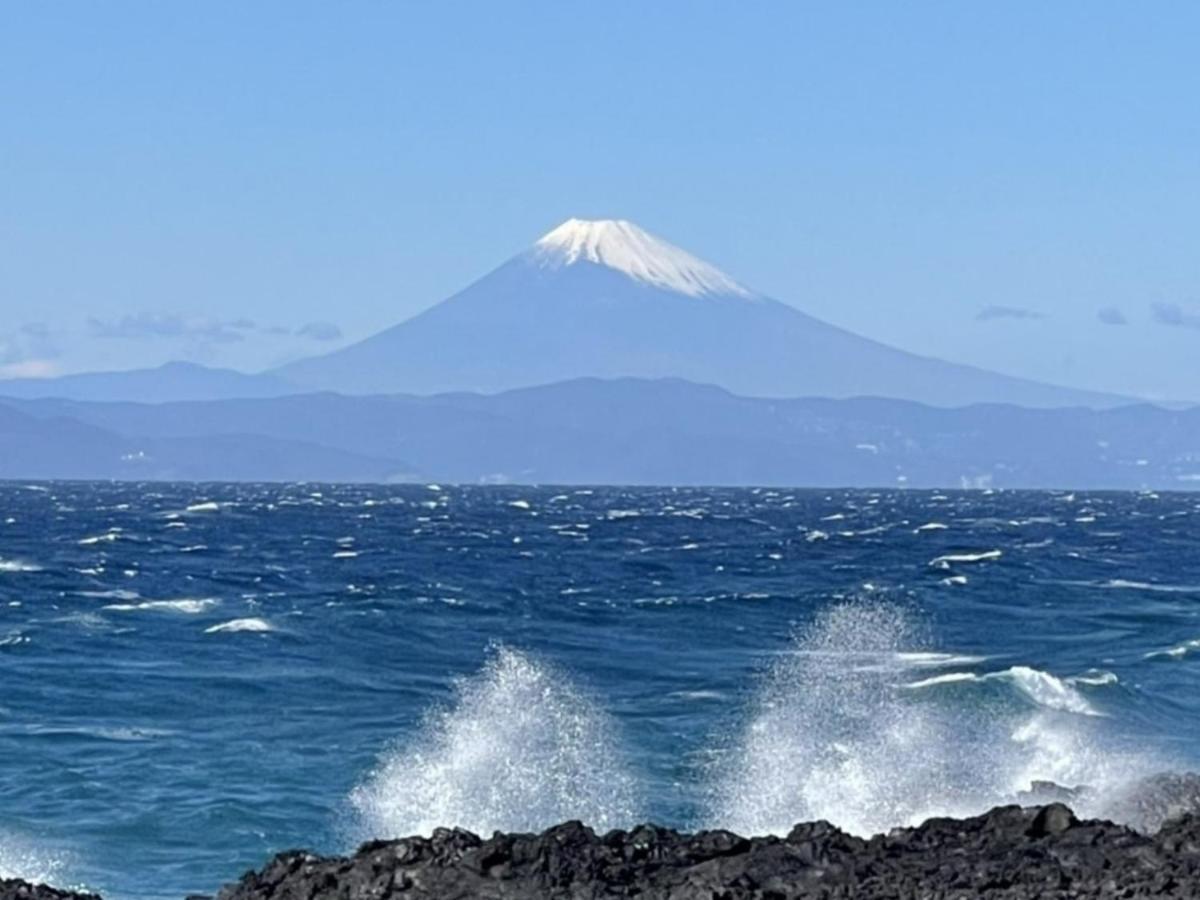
(194, 677)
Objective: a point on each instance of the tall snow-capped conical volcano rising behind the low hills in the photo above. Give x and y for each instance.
(608, 299)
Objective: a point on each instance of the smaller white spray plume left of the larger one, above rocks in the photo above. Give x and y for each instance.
(521, 749)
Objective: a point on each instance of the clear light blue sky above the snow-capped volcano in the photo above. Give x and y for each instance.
(1012, 185)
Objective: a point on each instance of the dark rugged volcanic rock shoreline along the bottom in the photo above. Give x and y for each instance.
(1012, 853)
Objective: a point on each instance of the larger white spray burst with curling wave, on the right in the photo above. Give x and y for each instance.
(841, 730)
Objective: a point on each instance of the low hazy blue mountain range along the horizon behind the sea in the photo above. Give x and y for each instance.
(595, 431)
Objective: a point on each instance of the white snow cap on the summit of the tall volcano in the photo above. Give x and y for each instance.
(626, 248)
